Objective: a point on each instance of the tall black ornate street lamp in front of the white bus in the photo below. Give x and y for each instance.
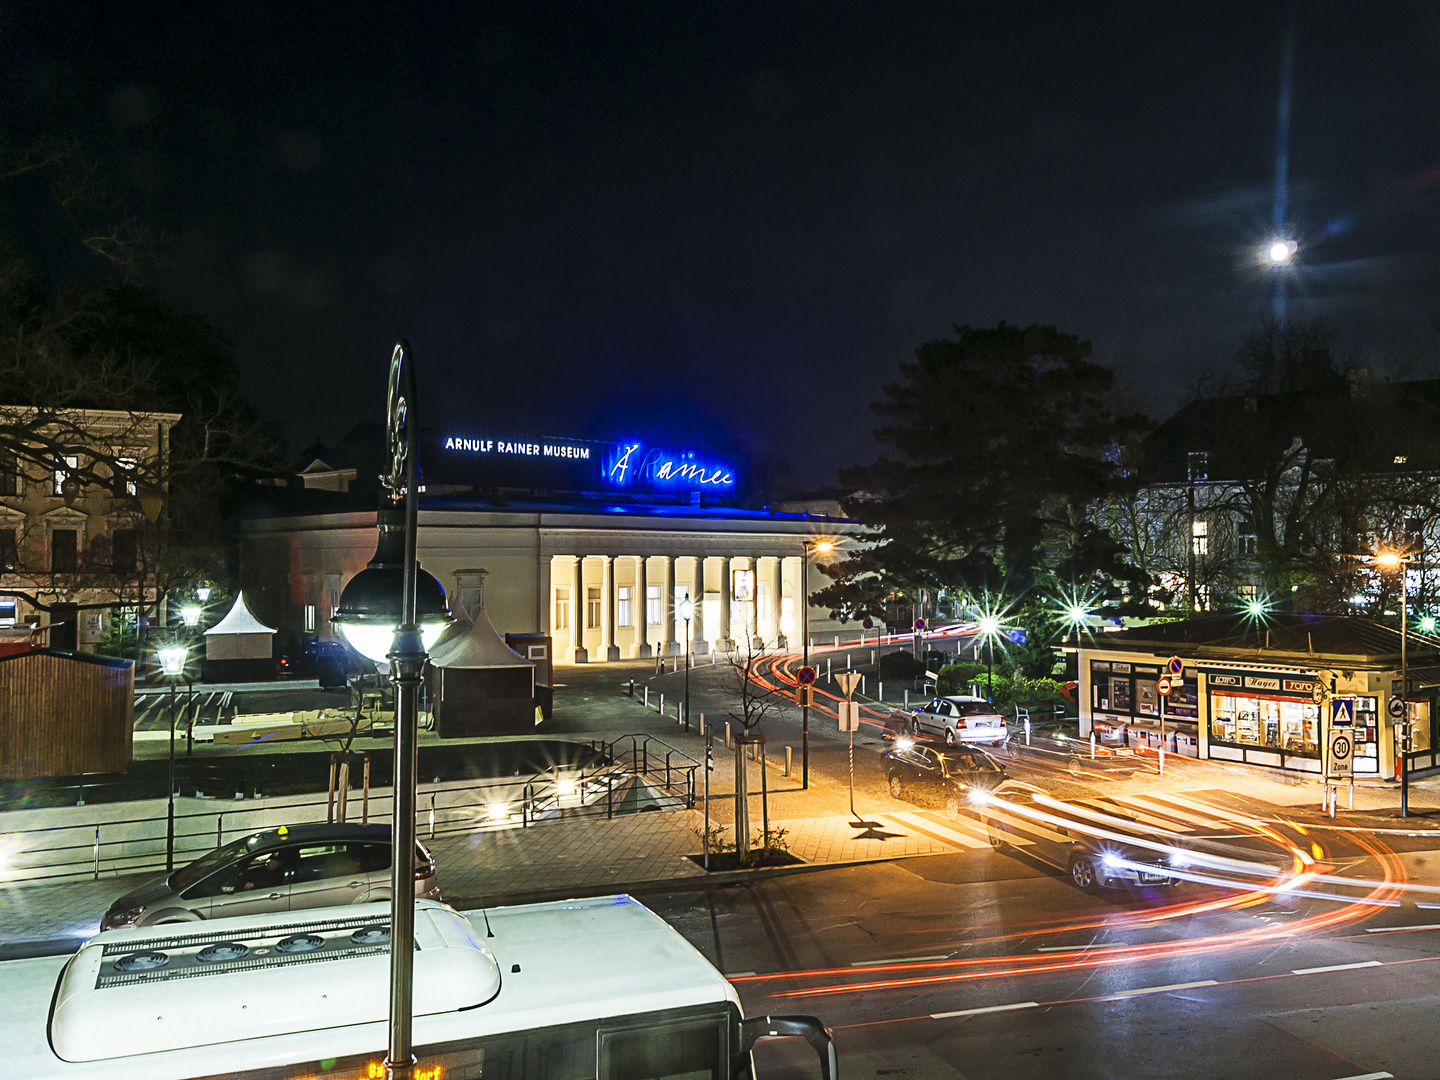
(395, 611)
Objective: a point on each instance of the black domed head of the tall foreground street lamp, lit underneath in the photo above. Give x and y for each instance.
(371, 607)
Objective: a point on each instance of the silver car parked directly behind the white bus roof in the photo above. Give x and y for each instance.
(277, 870)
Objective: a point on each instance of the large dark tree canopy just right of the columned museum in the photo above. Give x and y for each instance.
(999, 443)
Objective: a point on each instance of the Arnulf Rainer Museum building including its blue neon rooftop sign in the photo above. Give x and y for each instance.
(593, 544)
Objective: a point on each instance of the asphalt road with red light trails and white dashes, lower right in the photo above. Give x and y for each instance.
(993, 966)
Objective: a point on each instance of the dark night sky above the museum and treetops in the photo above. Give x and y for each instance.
(738, 220)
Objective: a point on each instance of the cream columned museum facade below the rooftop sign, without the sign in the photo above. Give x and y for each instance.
(606, 581)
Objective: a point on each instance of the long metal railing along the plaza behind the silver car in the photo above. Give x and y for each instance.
(643, 774)
